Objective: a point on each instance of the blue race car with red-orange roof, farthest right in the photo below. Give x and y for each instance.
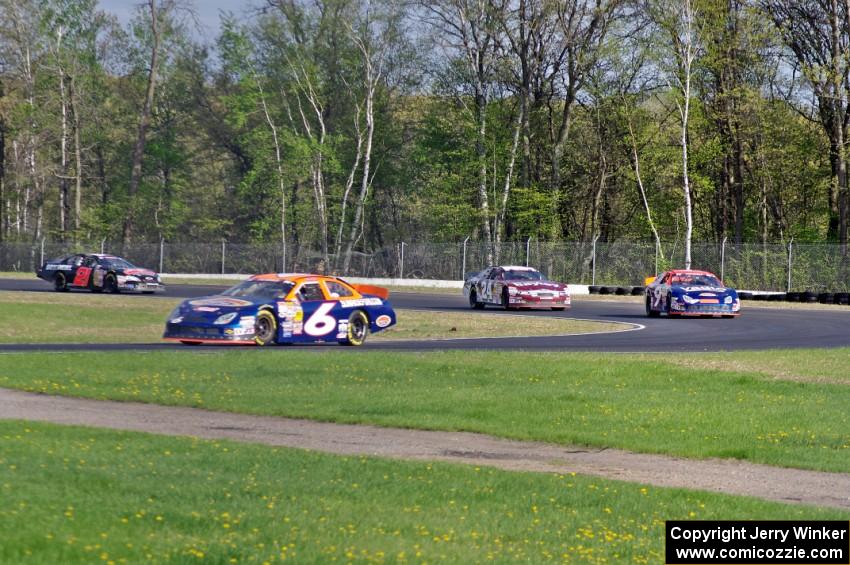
(690, 293)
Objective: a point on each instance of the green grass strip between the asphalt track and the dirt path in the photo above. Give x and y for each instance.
(629, 402)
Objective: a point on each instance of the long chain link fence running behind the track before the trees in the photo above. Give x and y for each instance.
(777, 267)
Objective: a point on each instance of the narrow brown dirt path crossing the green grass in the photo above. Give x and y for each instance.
(730, 477)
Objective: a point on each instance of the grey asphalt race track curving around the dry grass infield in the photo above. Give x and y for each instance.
(756, 328)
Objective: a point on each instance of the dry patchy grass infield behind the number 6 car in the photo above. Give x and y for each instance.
(86, 318)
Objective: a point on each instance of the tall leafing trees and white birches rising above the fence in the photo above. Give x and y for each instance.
(337, 126)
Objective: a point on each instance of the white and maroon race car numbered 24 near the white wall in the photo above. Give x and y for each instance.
(514, 287)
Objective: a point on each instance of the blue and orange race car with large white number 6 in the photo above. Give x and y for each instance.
(283, 308)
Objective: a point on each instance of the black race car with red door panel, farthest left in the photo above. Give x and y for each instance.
(99, 272)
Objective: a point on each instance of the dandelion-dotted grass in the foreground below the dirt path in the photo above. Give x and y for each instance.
(77, 495)
